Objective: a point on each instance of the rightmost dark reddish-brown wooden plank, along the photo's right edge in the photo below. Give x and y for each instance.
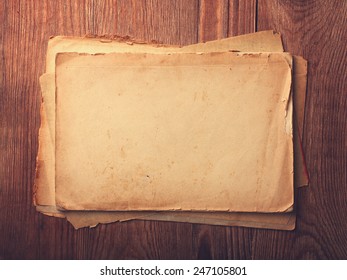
(315, 30)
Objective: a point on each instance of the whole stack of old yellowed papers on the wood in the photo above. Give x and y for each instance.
(202, 133)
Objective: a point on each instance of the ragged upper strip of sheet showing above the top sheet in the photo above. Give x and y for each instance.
(264, 41)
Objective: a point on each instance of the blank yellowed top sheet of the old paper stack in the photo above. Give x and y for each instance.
(174, 132)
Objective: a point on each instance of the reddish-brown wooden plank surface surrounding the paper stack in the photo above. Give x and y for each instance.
(314, 29)
